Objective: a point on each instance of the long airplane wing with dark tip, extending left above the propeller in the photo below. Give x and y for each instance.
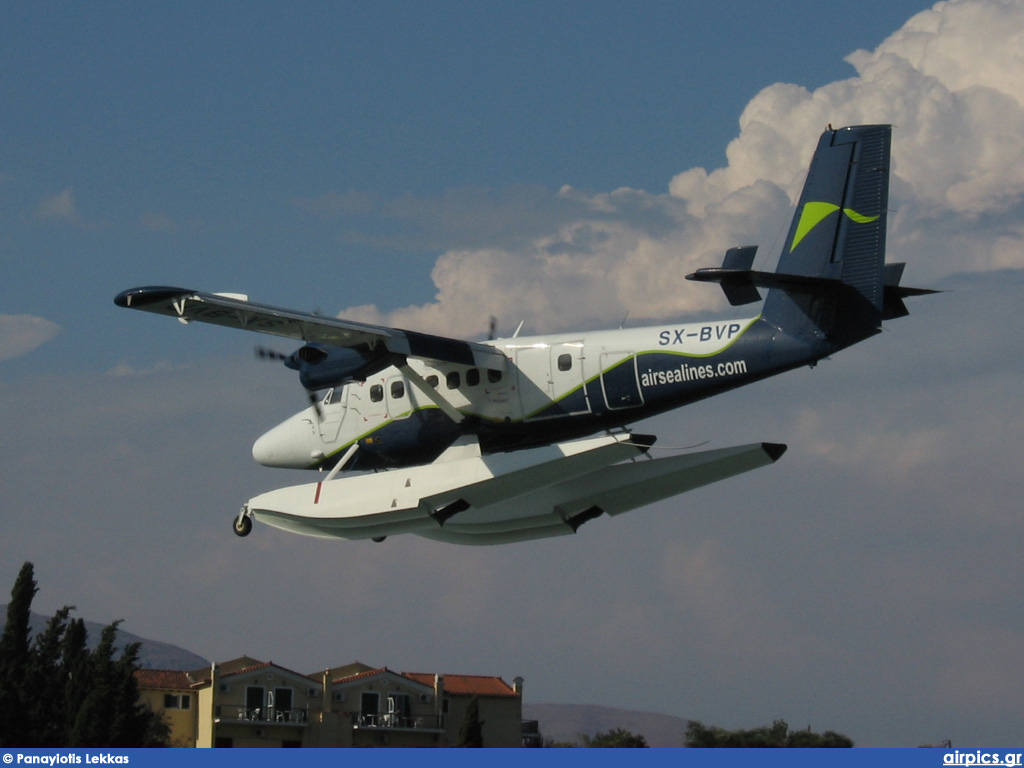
(235, 311)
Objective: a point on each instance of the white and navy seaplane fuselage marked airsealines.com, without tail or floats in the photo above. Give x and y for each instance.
(556, 388)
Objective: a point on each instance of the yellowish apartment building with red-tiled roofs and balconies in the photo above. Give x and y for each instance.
(247, 703)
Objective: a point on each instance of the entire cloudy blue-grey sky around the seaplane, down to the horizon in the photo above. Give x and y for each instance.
(429, 165)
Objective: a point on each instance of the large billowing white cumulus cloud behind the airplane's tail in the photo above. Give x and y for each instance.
(952, 82)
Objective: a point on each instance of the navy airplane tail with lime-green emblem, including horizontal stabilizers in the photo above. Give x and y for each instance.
(832, 282)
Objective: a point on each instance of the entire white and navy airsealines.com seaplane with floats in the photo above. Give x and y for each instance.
(510, 440)
